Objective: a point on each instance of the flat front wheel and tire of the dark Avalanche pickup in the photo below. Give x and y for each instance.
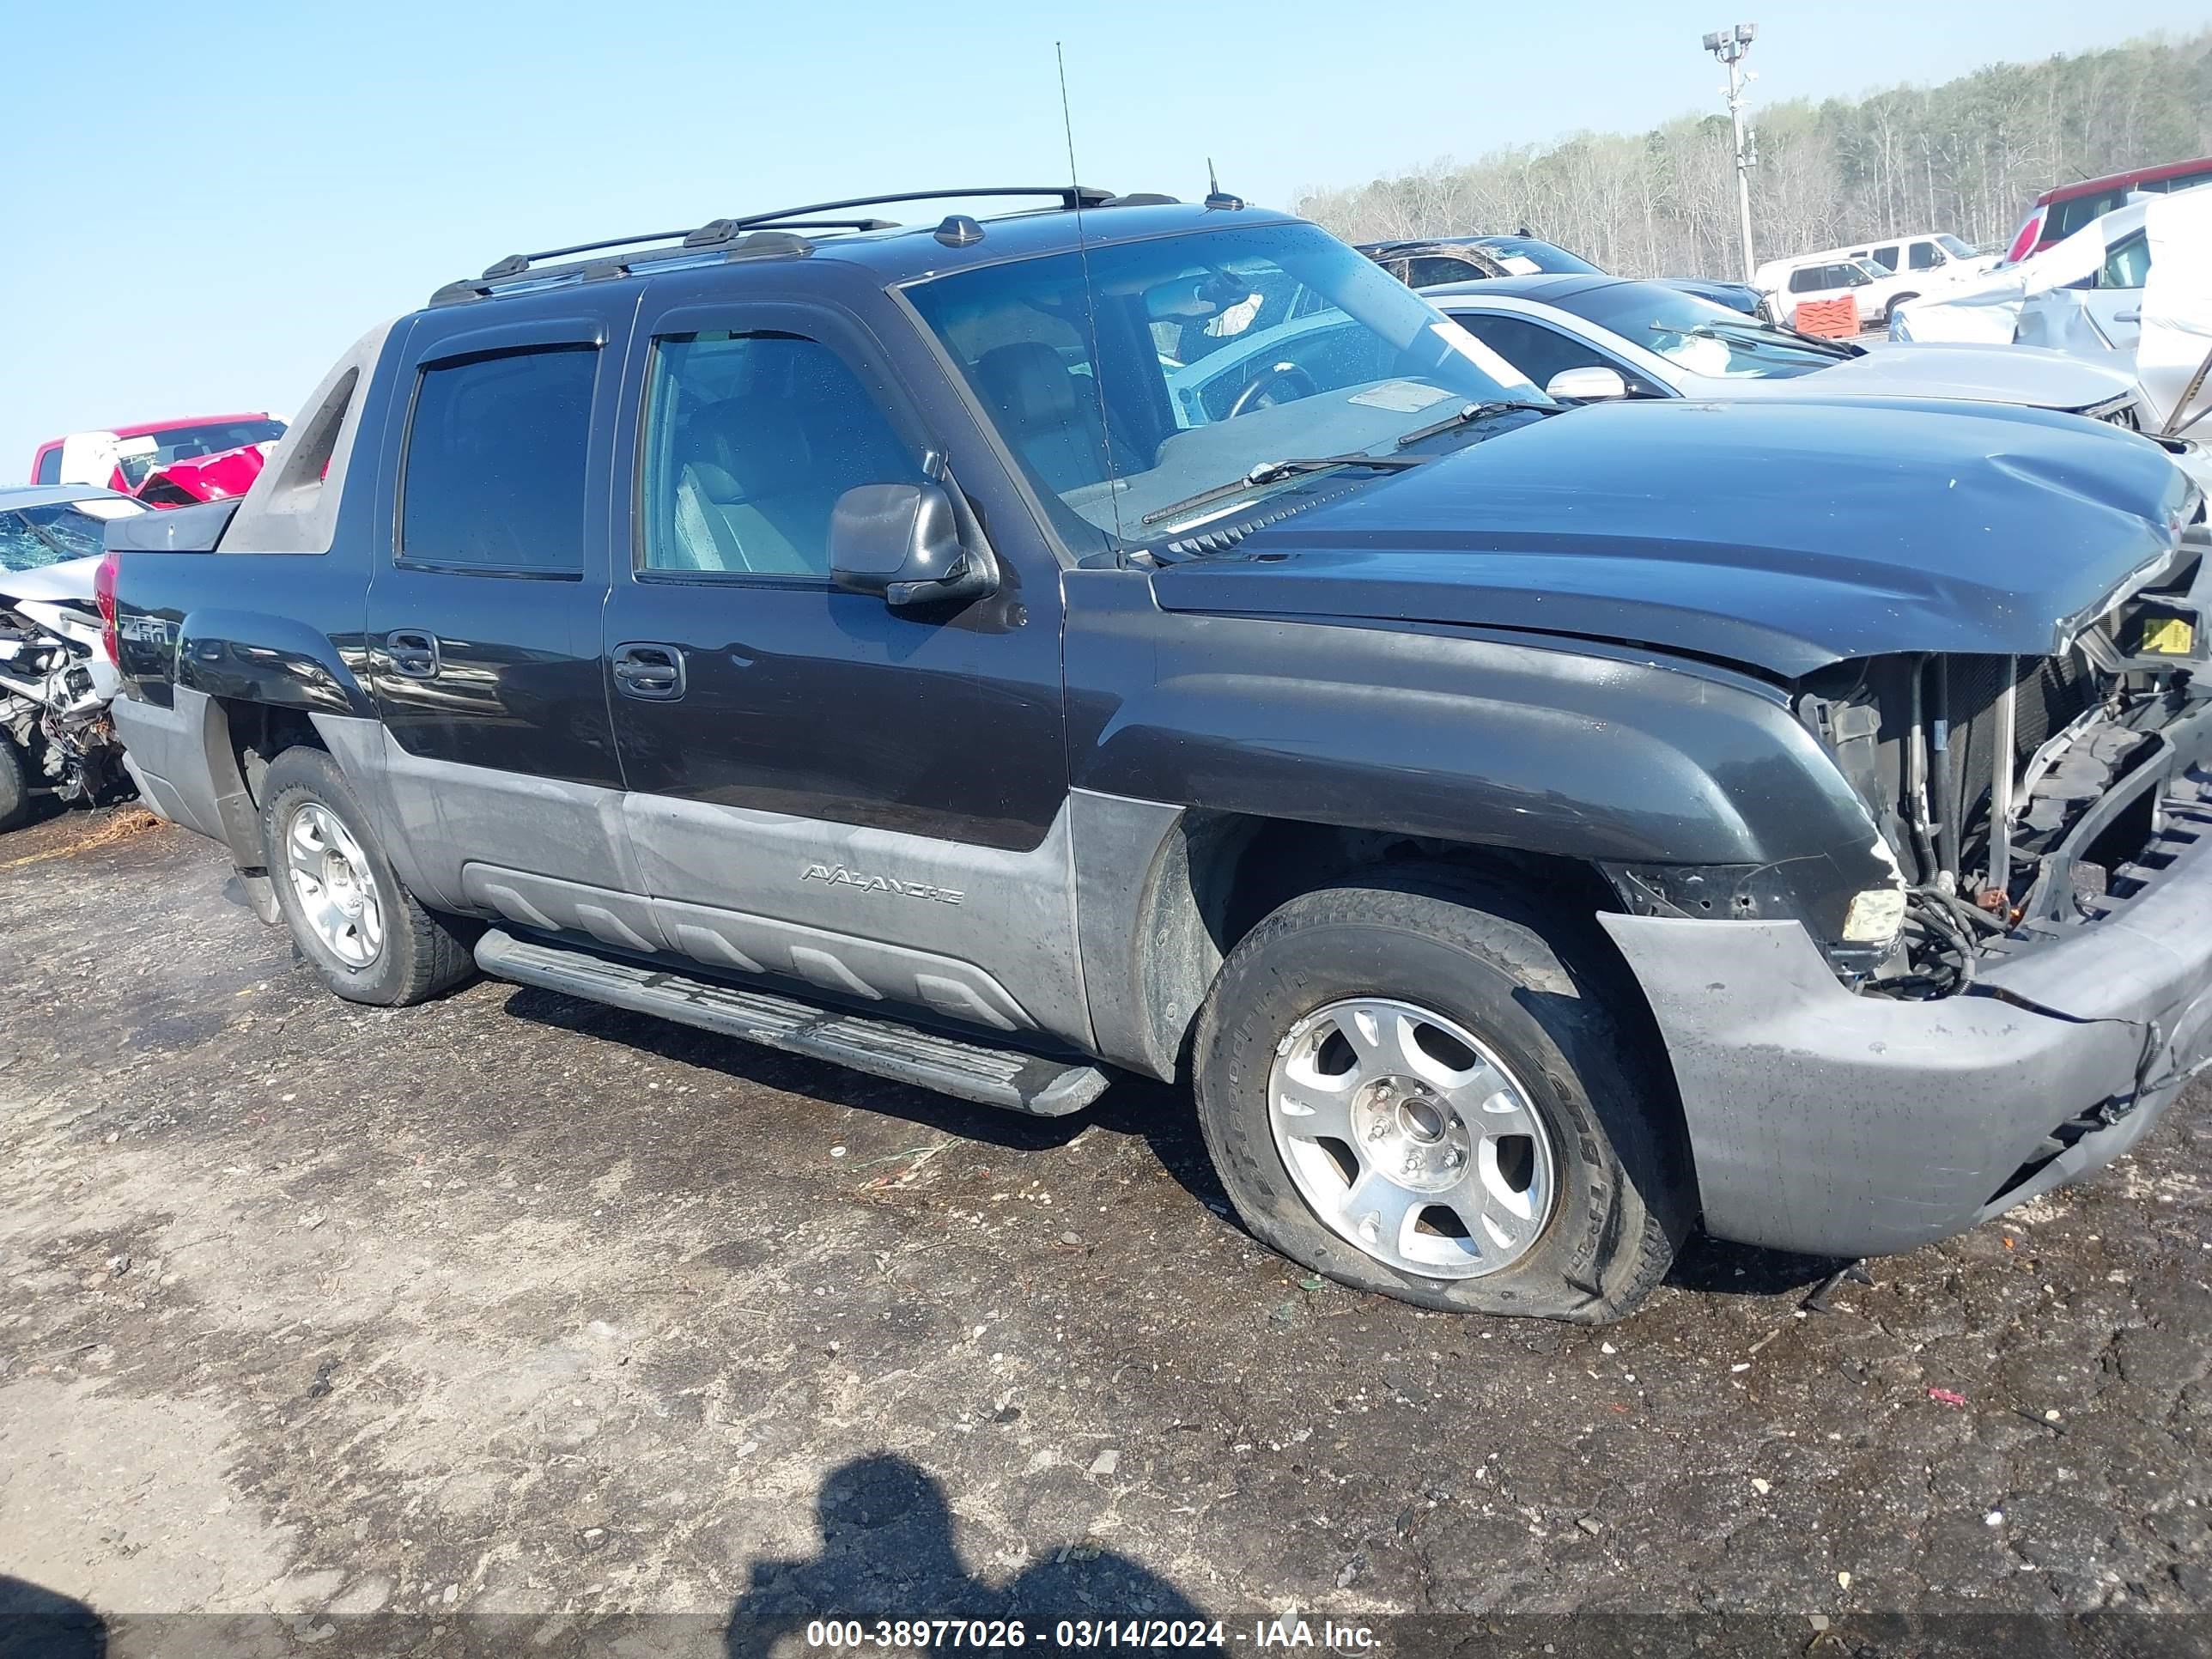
(1415, 1085)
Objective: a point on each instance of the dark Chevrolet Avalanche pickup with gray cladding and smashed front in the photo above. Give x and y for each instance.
(1532, 831)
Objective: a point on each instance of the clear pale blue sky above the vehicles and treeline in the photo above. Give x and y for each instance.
(213, 200)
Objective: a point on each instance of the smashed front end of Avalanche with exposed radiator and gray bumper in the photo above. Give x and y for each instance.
(2032, 992)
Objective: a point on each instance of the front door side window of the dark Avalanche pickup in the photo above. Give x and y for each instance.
(751, 439)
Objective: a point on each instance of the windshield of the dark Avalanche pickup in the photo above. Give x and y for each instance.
(1189, 362)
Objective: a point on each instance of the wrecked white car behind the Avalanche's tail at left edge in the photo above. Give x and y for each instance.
(56, 678)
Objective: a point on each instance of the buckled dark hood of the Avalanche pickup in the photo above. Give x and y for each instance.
(1782, 536)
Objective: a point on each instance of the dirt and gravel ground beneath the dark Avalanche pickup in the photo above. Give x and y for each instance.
(547, 1328)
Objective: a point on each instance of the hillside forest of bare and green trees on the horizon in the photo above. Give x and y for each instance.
(1968, 158)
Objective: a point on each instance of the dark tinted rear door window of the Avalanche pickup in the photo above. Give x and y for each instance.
(494, 474)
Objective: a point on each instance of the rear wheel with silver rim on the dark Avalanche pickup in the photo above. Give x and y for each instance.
(348, 910)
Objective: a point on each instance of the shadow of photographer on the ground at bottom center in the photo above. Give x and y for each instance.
(888, 1554)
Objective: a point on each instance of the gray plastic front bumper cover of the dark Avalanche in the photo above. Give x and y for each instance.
(1853, 1127)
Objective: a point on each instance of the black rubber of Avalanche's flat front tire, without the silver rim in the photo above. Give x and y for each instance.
(1536, 999)
